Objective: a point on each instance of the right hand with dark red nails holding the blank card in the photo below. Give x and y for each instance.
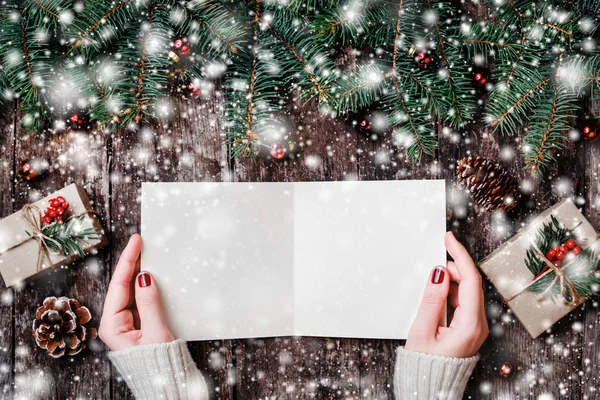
(468, 328)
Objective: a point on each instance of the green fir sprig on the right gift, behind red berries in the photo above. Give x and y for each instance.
(581, 270)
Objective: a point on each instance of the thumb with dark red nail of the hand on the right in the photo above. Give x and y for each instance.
(433, 304)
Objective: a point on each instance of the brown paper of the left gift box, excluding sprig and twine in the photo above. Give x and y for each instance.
(20, 263)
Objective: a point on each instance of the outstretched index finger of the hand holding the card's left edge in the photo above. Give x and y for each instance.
(119, 296)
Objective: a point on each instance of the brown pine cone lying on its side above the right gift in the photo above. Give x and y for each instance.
(489, 184)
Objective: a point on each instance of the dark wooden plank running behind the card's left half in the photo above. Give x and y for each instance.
(186, 145)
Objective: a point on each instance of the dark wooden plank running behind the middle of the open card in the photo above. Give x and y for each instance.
(301, 367)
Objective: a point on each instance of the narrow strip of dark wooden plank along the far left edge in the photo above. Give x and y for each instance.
(7, 143)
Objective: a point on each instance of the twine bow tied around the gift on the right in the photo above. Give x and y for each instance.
(560, 277)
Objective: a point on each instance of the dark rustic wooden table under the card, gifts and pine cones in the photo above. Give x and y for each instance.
(188, 147)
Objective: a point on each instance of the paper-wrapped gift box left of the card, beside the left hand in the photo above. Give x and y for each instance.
(21, 256)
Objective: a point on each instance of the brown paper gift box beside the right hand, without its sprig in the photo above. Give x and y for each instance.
(506, 269)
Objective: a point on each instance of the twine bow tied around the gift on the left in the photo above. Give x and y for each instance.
(32, 215)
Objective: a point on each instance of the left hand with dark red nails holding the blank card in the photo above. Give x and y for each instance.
(132, 313)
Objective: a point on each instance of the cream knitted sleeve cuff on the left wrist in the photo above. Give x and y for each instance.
(160, 371)
